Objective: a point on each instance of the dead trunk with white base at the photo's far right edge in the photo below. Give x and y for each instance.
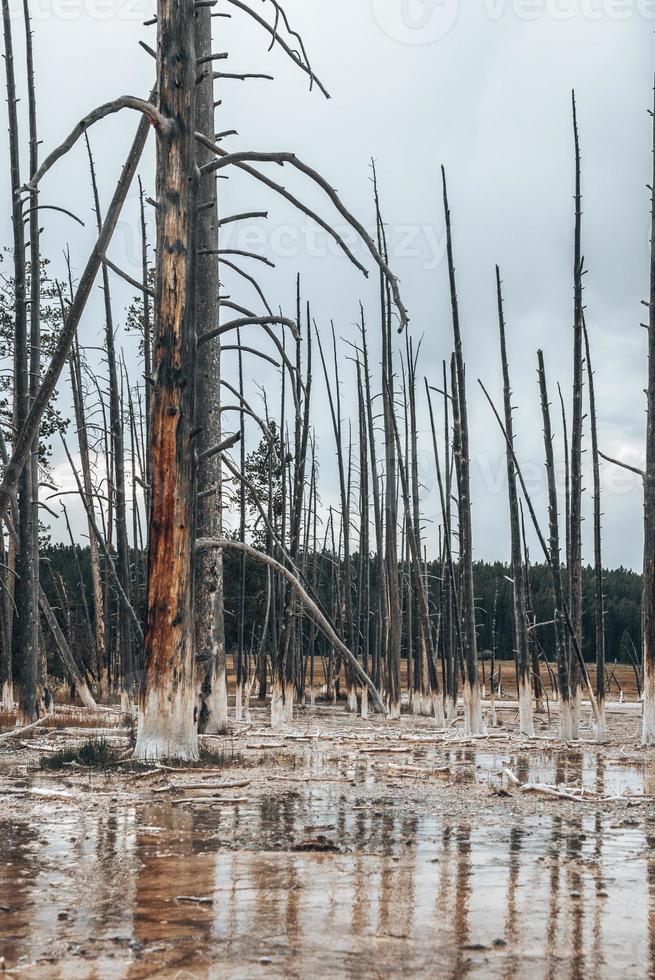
(648, 597)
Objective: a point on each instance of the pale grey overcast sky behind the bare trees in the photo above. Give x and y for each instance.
(483, 87)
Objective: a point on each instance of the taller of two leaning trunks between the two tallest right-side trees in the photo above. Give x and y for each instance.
(522, 652)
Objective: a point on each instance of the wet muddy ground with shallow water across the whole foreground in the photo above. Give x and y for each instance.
(340, 848)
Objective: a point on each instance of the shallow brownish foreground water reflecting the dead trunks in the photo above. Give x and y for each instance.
(140, 889)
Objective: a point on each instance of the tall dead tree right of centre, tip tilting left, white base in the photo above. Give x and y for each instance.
(472, 703)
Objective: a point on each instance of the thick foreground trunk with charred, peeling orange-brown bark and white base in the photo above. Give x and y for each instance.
(167, 716)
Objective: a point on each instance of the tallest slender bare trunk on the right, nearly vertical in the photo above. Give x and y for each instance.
(575, 569)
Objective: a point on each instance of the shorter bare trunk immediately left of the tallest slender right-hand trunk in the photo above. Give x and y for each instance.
(566, 719)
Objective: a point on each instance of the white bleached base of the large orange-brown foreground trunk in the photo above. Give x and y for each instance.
(167, 727)
